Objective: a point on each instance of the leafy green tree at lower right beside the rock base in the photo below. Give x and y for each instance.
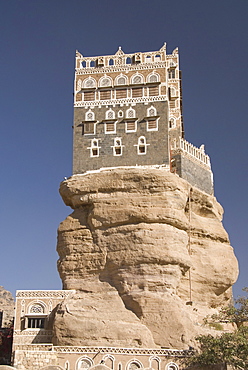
(228, 348)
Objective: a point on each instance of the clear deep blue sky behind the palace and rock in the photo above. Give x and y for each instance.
(38, 39)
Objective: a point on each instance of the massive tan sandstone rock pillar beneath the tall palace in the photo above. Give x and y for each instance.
(148, 256)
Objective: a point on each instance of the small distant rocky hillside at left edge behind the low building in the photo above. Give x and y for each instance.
(7, 305)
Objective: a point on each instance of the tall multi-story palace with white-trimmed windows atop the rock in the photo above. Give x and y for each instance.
(128, 112)
